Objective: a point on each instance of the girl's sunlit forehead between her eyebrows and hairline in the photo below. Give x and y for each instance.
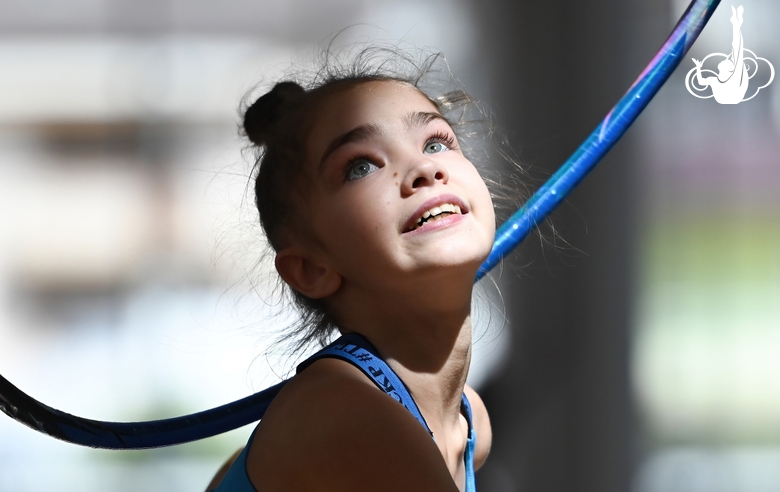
(382, 103)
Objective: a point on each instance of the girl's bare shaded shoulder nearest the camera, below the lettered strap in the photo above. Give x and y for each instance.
(330, 428)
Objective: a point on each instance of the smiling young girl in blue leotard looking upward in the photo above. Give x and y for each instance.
(379, 223)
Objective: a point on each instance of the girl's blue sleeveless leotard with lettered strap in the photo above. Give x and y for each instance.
(358, 351)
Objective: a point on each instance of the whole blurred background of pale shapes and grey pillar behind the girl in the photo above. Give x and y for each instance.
(640, 351)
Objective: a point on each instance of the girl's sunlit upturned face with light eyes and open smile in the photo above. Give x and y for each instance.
(391, 194)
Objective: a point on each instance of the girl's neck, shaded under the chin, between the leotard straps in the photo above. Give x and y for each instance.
(427, 343)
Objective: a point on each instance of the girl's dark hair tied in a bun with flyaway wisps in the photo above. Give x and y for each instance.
(277, 124)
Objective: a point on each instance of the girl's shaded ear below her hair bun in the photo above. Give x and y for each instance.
(306, 275)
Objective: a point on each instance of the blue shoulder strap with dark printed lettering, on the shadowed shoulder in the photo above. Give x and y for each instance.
(358, 351)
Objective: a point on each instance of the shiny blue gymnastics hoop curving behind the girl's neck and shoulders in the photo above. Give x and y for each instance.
(140, 435)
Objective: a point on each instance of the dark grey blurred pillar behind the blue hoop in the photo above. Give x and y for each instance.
(562, 410)
